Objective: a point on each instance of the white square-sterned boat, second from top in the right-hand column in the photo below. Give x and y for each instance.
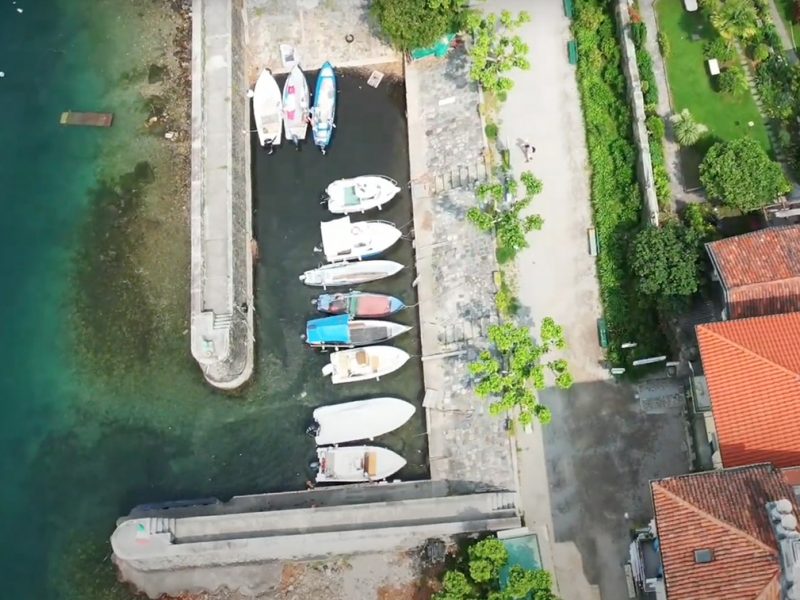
(343, 240)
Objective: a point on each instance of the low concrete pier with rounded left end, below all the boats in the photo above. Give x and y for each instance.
(162, 543)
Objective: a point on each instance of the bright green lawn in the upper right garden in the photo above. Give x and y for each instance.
(692, 86)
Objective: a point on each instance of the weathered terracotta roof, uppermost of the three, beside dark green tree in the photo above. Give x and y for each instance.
(760, 271)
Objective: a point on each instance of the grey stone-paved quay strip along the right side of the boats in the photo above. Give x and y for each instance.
(455, 264)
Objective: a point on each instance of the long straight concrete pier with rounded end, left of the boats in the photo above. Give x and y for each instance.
(221, 214)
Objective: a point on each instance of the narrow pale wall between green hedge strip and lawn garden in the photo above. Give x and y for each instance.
(645, 165)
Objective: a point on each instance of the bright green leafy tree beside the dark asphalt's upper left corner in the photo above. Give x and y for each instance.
(513, 377)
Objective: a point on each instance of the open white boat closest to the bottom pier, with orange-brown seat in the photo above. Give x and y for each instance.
(349, 464)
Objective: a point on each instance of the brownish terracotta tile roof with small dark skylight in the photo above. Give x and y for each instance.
(723, 511)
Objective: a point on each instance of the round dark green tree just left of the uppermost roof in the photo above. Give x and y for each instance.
(665, 260)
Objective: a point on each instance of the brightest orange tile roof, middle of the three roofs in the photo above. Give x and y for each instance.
(752, 369)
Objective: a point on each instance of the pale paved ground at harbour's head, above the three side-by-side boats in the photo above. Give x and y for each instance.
(317, 29)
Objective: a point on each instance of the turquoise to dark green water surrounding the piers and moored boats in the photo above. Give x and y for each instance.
(101, 405)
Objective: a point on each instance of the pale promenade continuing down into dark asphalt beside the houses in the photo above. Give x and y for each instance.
(581, 474)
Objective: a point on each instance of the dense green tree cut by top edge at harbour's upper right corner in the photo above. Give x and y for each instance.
(413, 24)
